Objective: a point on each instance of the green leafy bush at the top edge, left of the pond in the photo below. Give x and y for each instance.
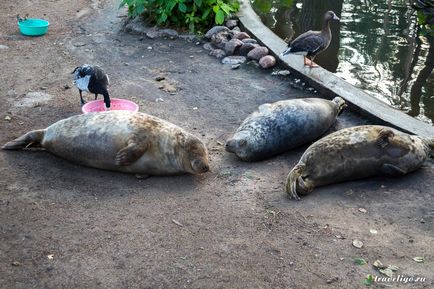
(194, 14)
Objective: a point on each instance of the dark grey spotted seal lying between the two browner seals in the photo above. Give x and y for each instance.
(278, 127)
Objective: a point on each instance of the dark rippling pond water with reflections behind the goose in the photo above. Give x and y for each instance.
(375, 47)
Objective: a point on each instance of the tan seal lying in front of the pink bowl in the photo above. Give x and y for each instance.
(130, 142)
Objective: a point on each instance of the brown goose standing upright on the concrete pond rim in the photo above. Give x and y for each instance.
(312, 43)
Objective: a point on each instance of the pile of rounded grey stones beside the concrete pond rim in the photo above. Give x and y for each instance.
(236, 47)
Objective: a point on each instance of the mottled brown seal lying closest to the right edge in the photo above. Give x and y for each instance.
(355, 153)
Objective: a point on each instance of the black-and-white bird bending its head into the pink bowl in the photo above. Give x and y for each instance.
(92, 79)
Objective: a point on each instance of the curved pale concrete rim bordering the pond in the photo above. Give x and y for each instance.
(328, 83)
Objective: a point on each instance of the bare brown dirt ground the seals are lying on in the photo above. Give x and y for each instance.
(66, 226)
